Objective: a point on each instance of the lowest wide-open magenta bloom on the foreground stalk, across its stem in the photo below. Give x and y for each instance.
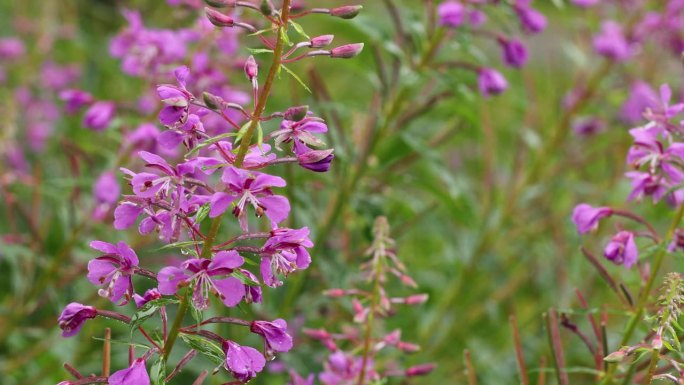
(204, 272)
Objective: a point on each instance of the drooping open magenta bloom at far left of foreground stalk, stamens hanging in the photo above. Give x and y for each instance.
(113, 270)
